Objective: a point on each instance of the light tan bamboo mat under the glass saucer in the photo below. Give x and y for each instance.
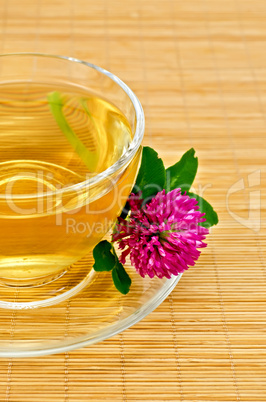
(199, 69)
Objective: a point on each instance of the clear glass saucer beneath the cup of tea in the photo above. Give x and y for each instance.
(96, 312)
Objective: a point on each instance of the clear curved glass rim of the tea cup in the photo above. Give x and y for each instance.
(124, 159)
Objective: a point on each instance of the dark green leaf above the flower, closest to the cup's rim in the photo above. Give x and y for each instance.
(151, 176)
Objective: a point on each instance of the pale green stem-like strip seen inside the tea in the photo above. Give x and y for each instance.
(56, 106)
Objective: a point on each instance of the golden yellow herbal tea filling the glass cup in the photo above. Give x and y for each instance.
(51, 139)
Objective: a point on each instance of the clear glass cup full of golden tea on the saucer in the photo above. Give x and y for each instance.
(53, 209)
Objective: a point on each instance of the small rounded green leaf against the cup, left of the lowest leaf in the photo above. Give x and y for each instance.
(105, 260)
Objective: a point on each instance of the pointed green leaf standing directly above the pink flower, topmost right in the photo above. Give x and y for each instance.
(182, 174)
